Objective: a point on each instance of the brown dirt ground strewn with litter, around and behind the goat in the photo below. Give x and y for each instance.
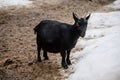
(18, 53)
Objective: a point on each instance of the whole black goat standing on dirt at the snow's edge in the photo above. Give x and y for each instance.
(54, 36)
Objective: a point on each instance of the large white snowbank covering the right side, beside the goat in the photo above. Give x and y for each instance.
(100, 58)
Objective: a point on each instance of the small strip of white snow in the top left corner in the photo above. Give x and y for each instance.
(5, 3)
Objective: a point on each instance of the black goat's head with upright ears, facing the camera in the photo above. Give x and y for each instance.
(81, 24)
